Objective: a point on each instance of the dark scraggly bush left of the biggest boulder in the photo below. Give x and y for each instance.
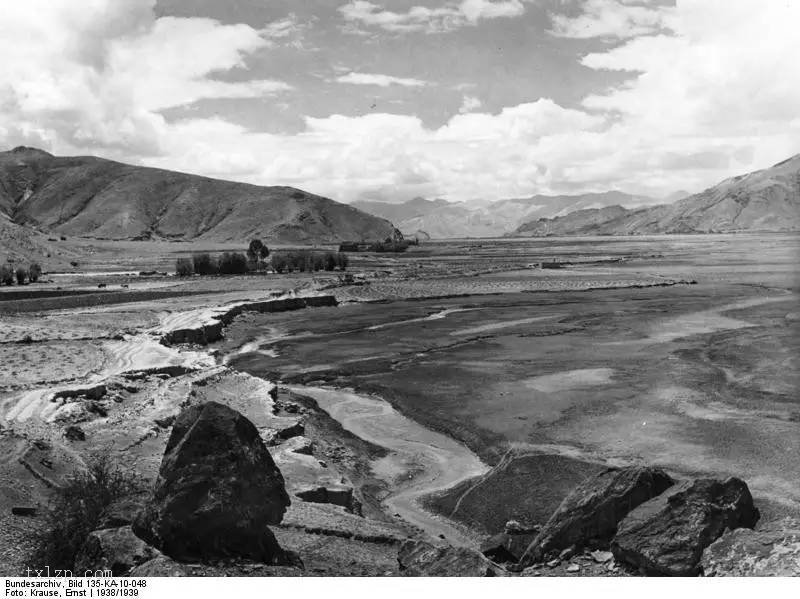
(76, 509)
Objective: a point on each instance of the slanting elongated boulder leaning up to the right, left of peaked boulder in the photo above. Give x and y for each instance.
(588, 517)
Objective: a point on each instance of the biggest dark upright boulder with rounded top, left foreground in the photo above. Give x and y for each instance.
(217, 490)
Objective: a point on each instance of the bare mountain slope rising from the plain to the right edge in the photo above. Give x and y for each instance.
(765, 200)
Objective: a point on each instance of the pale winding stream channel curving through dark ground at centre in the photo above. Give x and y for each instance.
(420, 461)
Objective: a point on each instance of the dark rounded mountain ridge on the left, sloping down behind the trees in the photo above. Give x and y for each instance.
(92, 197)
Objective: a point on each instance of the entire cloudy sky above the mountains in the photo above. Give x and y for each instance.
(391, 99)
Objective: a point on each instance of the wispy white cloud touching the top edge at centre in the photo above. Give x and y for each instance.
(448, 17)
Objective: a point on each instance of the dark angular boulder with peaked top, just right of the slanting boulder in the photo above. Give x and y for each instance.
(667, 535)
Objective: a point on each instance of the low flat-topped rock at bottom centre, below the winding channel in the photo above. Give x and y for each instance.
(419, 558)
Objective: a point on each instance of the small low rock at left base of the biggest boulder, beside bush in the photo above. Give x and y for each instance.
(115, 549)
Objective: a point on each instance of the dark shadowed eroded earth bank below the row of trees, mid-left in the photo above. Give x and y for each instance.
(208, 332)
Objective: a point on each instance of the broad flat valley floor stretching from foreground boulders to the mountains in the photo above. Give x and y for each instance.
(673, 351)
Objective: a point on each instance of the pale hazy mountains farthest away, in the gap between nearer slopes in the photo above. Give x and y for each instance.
(441, 219)
